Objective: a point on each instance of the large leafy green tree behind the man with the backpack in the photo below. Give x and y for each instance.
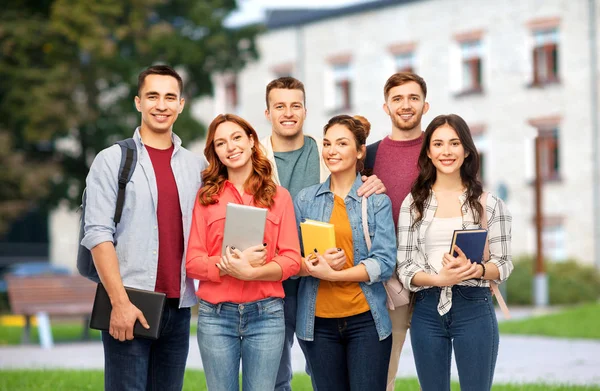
(68, 71)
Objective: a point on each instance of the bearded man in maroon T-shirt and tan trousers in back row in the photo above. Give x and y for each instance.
(394, 161)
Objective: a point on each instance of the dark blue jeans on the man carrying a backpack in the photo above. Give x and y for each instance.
(144, 364)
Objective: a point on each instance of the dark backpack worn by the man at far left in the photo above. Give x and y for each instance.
(85, 263)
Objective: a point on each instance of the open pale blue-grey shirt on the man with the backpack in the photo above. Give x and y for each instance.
(136, 236)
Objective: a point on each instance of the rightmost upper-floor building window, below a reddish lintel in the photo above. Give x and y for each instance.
(545, 57)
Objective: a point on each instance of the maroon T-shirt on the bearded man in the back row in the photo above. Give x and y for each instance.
(396, 166)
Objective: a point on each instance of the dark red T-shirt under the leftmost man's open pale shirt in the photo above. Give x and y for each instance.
(170, 225)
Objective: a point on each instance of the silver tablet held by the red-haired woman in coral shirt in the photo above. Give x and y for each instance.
(244, 226)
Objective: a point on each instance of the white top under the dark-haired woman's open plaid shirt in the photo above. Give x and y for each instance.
(438, 239)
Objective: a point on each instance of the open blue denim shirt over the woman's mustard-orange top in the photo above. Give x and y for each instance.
(316, 203)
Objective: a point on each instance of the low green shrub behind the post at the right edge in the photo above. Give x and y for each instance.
(569, 282)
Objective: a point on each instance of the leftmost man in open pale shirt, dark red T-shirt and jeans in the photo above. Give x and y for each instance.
(147, 249)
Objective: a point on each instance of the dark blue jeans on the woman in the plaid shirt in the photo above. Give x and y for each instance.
(470, 327)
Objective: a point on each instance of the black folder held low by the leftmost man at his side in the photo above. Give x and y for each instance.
(150, 303)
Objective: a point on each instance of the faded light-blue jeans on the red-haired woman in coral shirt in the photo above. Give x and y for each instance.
(251, 331)
